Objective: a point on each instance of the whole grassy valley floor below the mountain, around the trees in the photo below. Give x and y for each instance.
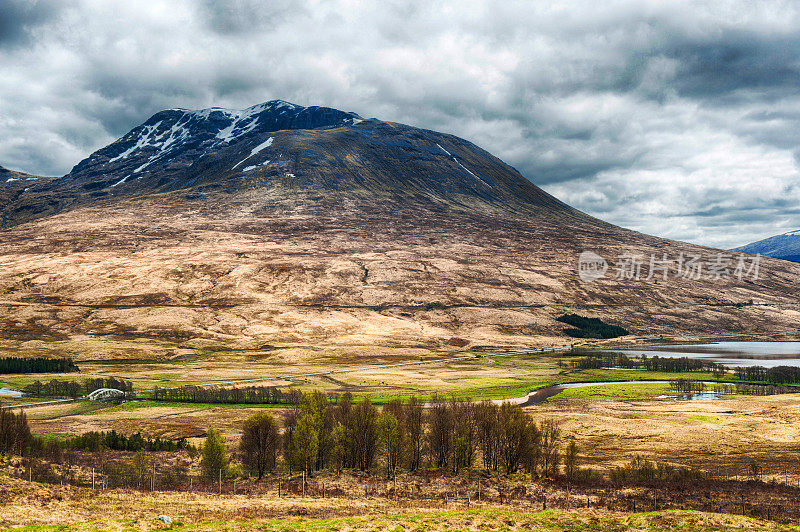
(612, 424)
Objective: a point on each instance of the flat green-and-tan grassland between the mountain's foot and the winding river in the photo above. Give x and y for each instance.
(478, 378)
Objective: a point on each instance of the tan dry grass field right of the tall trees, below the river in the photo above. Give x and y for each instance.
(715, 435)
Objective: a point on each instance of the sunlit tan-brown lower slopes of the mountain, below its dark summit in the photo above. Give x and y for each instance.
(151, 277)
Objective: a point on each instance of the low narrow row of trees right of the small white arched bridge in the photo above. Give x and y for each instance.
(269, 395)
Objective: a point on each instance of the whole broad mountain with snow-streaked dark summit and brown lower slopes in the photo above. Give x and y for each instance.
(308, 226)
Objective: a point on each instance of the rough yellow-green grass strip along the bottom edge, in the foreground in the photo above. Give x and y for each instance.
(36, 507)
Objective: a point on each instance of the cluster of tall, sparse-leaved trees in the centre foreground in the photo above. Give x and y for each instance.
(447, 434)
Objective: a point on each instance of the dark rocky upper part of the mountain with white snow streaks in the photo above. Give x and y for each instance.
(281, 145)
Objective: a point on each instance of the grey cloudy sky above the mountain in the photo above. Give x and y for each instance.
(680, 119)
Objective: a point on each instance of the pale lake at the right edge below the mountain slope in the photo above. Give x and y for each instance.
(767, 354)
